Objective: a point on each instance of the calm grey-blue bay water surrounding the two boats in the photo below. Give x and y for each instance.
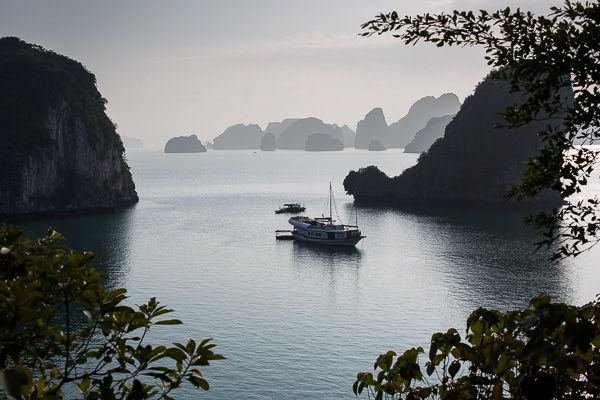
(299, 321)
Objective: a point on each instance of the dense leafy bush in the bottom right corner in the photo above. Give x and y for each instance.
(548, 351)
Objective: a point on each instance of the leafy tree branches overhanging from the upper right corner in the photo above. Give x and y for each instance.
(539, 56)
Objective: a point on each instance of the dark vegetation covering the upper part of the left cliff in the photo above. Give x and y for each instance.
(33, 78)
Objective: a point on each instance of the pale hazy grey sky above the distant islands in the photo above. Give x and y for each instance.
(182, 67)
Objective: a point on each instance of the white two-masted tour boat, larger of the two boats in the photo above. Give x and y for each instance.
(325, 230)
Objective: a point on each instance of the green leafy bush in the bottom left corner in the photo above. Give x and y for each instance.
(62, 330)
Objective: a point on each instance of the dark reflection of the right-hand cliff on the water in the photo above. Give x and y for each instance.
(475, 257)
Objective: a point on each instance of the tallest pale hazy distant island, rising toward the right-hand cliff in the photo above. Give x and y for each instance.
(402, 132)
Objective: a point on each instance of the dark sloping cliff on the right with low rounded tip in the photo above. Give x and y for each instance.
(473, 164)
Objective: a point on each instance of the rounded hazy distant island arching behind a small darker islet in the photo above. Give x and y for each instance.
(294, 137)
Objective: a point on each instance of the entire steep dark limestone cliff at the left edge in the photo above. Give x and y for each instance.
(60, 153)
